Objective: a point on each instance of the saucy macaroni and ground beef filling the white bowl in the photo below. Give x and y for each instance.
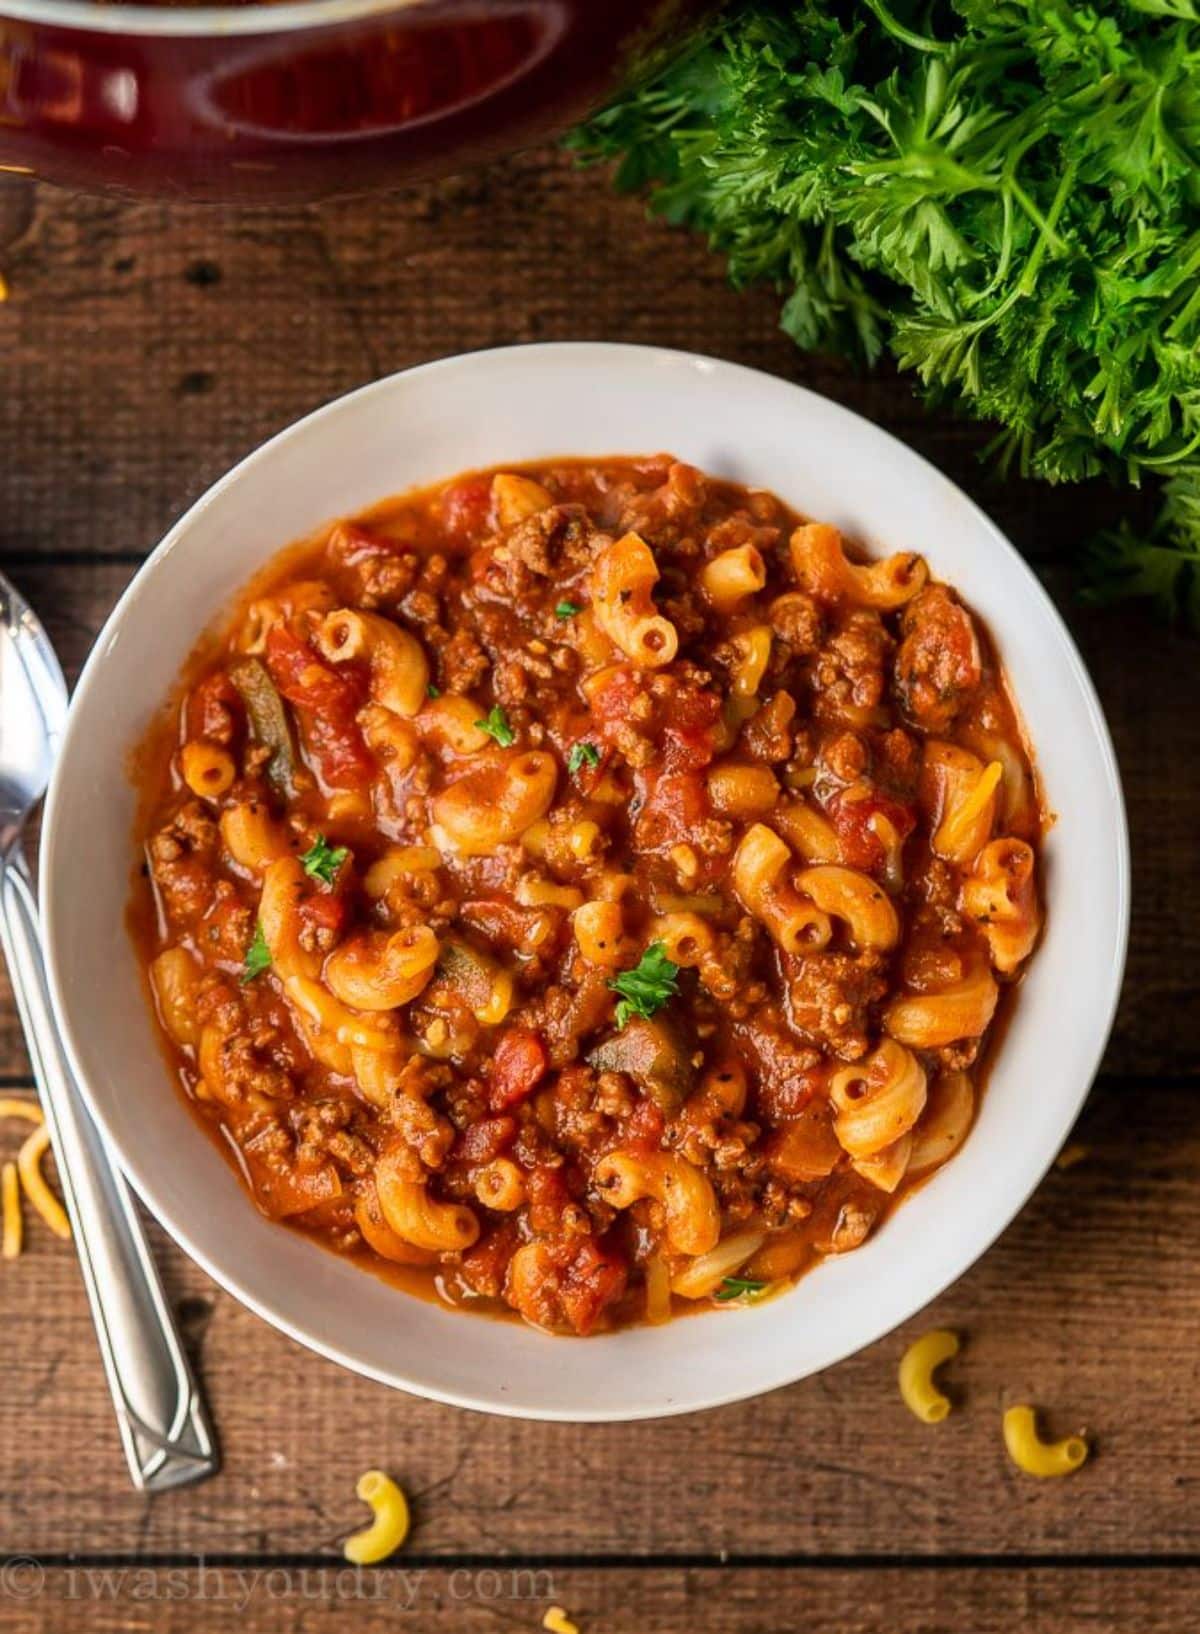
(586, 891)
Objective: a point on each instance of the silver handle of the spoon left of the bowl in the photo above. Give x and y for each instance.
(164, 1426)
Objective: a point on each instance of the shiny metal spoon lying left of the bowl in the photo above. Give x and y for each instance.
(164, 1426)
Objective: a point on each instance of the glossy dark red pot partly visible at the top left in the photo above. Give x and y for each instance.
(307, 99)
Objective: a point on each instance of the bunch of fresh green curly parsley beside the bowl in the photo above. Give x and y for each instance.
(1001, 194)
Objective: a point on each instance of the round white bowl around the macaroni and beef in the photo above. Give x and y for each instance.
(514, 406)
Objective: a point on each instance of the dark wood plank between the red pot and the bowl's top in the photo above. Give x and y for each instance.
(150, 347)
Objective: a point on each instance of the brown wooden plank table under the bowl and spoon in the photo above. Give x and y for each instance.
(145, 350)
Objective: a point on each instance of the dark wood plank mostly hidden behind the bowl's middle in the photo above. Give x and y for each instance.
(1150, 685)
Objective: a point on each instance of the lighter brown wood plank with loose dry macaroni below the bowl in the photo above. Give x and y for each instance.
(1085, 1308)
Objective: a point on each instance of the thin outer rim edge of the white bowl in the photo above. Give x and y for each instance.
(581, 354)
